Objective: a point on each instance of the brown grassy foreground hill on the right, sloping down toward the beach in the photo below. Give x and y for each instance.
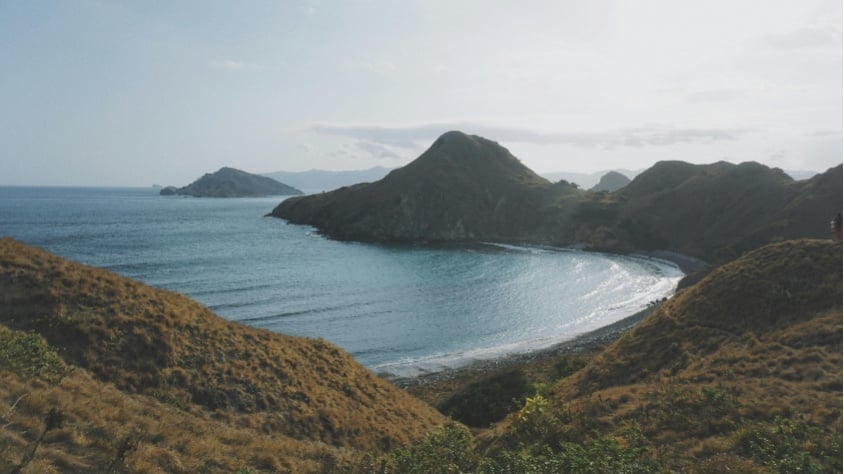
(740, 372)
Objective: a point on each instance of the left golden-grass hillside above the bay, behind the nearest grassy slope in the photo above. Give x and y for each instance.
(160, 344)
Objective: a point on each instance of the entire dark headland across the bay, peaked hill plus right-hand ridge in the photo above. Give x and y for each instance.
(469, 188)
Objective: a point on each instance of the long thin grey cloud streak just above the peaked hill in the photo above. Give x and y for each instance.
(412, 136)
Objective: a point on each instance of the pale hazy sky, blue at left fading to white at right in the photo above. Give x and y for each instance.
(135, 93)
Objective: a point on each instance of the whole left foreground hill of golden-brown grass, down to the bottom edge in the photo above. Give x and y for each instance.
(121, 360)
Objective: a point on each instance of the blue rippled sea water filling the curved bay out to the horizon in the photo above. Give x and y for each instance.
(401, 310)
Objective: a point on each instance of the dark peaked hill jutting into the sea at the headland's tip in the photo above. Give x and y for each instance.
(462, 188)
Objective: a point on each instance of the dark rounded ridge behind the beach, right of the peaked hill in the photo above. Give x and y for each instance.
(719, 211)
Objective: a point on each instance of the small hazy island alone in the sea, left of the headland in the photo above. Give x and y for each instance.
(230, 182)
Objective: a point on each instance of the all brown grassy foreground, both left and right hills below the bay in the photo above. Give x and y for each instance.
(740, 372)
